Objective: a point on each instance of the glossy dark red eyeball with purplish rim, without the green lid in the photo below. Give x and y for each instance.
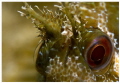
(99, 53)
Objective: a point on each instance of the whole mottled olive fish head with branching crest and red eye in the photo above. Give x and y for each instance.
(77, 41)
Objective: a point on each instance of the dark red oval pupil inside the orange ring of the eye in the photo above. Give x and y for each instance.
(98, 54)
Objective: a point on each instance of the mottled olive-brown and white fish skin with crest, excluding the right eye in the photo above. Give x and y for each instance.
(60, 59)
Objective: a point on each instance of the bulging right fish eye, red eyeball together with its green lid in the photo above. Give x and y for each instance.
(98, 50)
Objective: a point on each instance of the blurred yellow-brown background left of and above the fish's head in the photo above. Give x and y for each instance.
(19, 40)
